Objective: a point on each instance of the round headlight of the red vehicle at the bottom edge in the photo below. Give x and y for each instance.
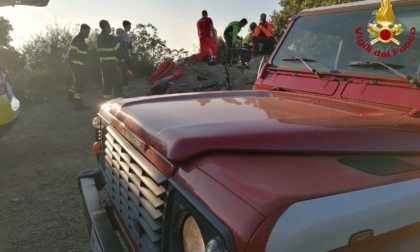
(191, 236)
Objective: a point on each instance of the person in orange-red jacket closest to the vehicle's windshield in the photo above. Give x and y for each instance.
(263, 34)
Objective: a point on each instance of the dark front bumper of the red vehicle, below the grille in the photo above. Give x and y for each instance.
(103, 235)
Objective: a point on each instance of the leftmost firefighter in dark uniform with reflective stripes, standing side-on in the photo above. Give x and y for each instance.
(77, 56)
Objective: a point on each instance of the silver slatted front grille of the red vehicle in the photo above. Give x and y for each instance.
(137, 189)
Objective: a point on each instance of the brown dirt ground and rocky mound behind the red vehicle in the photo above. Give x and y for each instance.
(40, 158)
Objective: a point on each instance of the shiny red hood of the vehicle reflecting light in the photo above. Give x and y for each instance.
(182, 126)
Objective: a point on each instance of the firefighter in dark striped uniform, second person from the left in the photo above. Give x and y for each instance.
(109, 51)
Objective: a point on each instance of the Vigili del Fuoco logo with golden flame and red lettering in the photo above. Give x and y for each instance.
(384, 30)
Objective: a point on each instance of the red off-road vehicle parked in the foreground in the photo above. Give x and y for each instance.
(324, 154)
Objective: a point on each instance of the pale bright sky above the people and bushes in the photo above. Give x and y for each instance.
(175, 20)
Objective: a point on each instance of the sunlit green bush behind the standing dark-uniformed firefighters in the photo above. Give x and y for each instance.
(45, 55)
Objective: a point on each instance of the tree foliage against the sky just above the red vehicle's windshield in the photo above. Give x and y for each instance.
(290, 8)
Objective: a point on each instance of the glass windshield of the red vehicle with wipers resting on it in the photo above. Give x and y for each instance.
(350, 43)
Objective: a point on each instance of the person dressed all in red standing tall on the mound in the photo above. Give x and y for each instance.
(207, 35)
